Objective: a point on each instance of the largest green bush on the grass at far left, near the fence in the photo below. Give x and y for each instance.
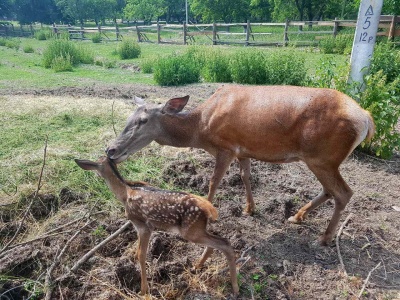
(66, 49)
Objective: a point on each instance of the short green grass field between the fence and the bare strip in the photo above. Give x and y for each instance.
(25, 70)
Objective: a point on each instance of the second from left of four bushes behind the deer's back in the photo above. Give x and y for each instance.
(216, 67)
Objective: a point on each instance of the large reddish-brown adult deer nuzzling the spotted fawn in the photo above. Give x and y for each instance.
(277, 124)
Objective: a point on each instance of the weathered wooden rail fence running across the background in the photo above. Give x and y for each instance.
(305, 33)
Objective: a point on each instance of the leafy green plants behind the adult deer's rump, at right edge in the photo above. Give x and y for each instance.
(382, 100)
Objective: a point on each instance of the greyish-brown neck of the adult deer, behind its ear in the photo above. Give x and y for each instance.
(181, 130)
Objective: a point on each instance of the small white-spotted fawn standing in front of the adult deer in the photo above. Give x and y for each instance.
(150, 208)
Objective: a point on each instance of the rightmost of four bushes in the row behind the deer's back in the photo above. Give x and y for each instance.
(285, 67)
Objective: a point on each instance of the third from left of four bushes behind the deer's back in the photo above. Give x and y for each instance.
(248, 66)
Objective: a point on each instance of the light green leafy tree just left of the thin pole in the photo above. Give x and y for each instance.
(145, 9)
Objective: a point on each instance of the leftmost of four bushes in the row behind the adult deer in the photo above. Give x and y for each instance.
(176, 69)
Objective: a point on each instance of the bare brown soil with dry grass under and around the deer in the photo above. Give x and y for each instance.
(280, 260)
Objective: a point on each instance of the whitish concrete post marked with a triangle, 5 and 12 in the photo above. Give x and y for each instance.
(364, 39)
